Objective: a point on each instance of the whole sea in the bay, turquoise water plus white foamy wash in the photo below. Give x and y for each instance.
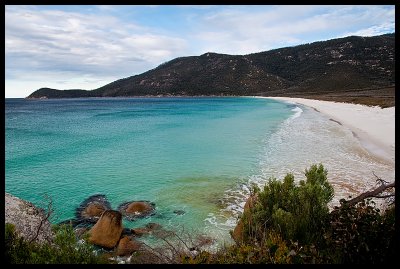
(195, 155)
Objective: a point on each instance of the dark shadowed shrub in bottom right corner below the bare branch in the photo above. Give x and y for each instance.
(360, 234)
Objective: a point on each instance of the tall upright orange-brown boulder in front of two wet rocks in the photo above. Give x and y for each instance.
(107, 231)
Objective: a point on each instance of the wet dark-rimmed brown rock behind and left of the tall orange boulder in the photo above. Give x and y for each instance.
(91, 209)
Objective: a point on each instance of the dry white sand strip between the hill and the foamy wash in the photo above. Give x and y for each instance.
(373, 126)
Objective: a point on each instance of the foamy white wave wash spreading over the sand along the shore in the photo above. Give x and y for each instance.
(306, 138)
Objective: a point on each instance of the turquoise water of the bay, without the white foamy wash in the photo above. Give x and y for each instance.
(180, 153)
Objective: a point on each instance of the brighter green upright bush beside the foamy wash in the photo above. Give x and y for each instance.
(295, 211)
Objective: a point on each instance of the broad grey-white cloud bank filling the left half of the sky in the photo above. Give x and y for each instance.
(37, 41)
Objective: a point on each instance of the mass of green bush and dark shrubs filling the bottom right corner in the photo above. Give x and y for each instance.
(292, 224)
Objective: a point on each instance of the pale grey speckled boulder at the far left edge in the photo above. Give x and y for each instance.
(27, 218)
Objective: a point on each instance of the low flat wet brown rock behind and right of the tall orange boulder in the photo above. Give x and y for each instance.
(136, 209)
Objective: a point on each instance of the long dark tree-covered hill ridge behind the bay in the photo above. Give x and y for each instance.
(350, 67)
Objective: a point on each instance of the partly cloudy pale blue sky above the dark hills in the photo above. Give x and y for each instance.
(86, 47)
